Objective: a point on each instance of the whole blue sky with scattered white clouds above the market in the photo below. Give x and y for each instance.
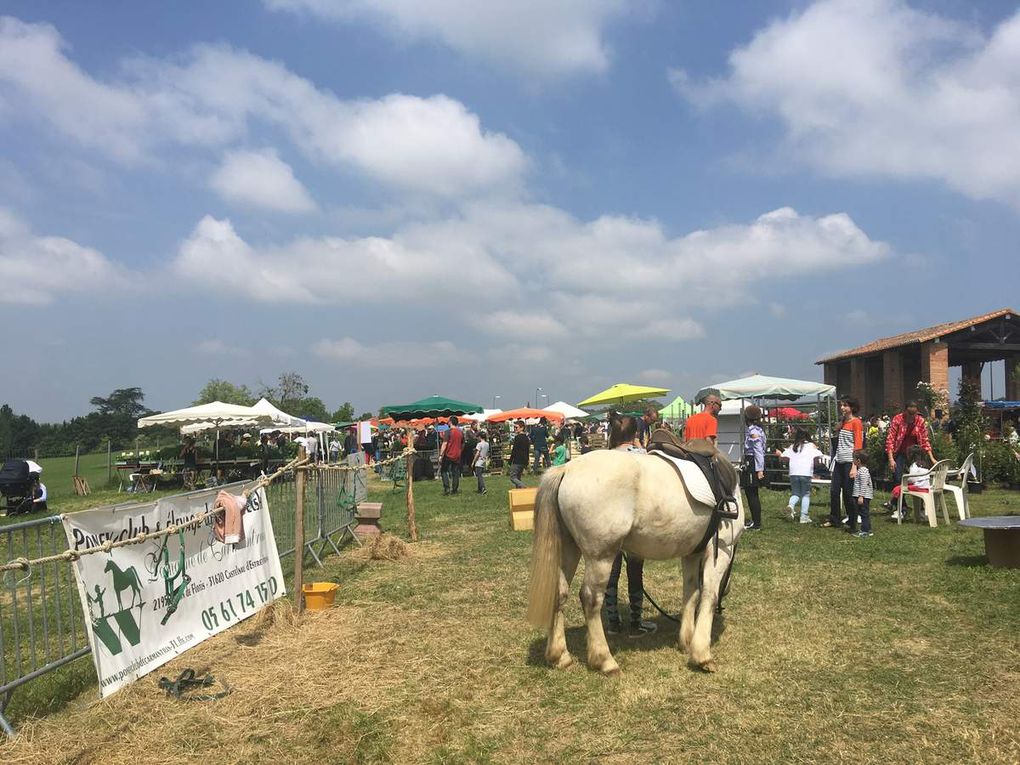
(402, 198)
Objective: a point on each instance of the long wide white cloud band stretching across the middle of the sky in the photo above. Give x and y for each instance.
(546, 276)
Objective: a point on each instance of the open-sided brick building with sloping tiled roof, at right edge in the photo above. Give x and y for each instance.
(885, 374)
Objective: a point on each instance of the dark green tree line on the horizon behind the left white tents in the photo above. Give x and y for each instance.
(114, 419)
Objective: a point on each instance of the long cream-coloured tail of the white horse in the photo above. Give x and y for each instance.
(546, 551)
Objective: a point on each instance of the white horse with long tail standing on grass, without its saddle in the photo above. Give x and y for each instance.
(606, 501)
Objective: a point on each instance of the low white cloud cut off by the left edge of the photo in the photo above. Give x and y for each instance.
(36, 270)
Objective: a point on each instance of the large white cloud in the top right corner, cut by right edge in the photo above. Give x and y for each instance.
(876, 88)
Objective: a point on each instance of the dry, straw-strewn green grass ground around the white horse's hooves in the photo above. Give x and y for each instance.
(899, 649)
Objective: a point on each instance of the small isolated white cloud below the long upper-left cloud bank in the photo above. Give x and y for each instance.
(261, 180)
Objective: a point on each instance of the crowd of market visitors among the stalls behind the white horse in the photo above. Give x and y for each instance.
(467, 449)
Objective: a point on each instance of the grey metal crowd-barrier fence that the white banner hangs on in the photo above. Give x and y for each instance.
(42, 627)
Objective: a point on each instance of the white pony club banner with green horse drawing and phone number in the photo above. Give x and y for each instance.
(144, 604)
